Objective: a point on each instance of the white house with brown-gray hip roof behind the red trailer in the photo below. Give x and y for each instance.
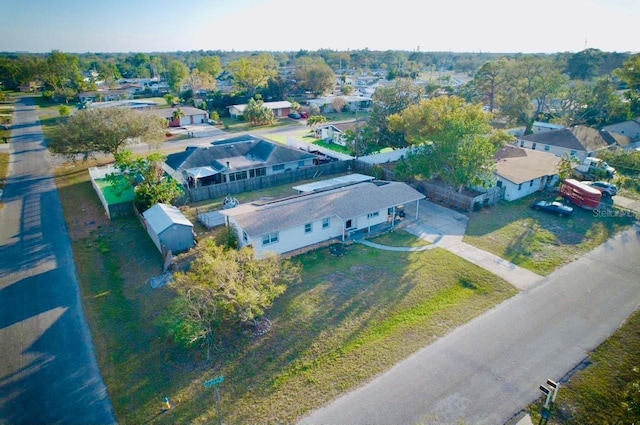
(579, 141)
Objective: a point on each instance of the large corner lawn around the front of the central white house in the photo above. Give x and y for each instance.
(351, 318)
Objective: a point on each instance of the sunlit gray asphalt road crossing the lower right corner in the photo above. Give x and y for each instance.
(489, 369)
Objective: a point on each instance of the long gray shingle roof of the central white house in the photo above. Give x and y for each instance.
(344, 203)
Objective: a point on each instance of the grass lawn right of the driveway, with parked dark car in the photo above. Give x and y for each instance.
(538, 241)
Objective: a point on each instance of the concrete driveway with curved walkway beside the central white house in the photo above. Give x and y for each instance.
(445, 228)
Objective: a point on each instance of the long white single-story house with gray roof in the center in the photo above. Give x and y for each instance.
(297, 222)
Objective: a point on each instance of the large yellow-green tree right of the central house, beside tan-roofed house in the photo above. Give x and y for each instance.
(452, 140)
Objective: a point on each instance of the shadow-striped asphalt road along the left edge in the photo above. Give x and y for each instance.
(48, 369)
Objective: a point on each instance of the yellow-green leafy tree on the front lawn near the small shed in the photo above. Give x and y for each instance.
(224, 288)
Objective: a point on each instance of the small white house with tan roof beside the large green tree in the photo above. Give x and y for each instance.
(521, 172)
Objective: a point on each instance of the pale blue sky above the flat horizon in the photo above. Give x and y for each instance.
(503, 26)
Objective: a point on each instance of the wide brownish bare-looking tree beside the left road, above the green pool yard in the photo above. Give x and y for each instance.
(105, 130)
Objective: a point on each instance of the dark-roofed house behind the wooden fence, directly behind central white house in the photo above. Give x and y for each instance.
(239, 158)
